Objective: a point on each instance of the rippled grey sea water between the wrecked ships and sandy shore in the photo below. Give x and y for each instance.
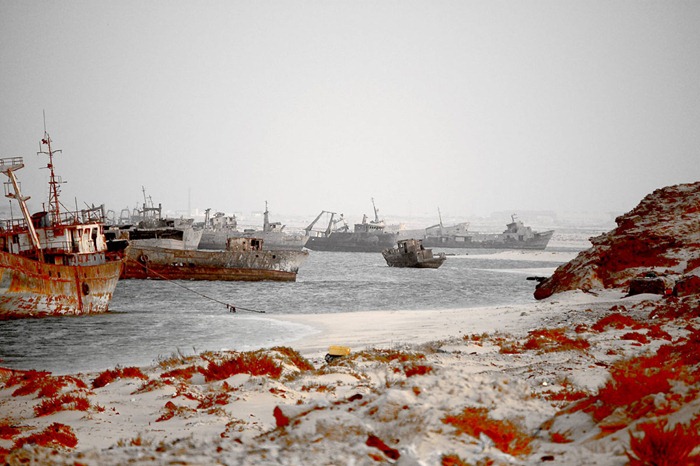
(152, 319)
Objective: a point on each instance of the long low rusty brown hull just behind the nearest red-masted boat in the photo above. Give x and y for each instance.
(172, 264)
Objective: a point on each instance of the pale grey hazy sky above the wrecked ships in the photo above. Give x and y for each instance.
(472, 106)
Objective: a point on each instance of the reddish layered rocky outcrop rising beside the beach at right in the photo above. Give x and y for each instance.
(660, 237)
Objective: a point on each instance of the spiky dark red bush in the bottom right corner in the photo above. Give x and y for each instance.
(661, 446)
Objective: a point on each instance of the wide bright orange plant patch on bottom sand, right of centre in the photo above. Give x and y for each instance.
(505, 435)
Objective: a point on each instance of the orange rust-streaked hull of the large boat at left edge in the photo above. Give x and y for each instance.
(29, 288)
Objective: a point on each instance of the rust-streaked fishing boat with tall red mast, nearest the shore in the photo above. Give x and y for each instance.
(54, 263)
